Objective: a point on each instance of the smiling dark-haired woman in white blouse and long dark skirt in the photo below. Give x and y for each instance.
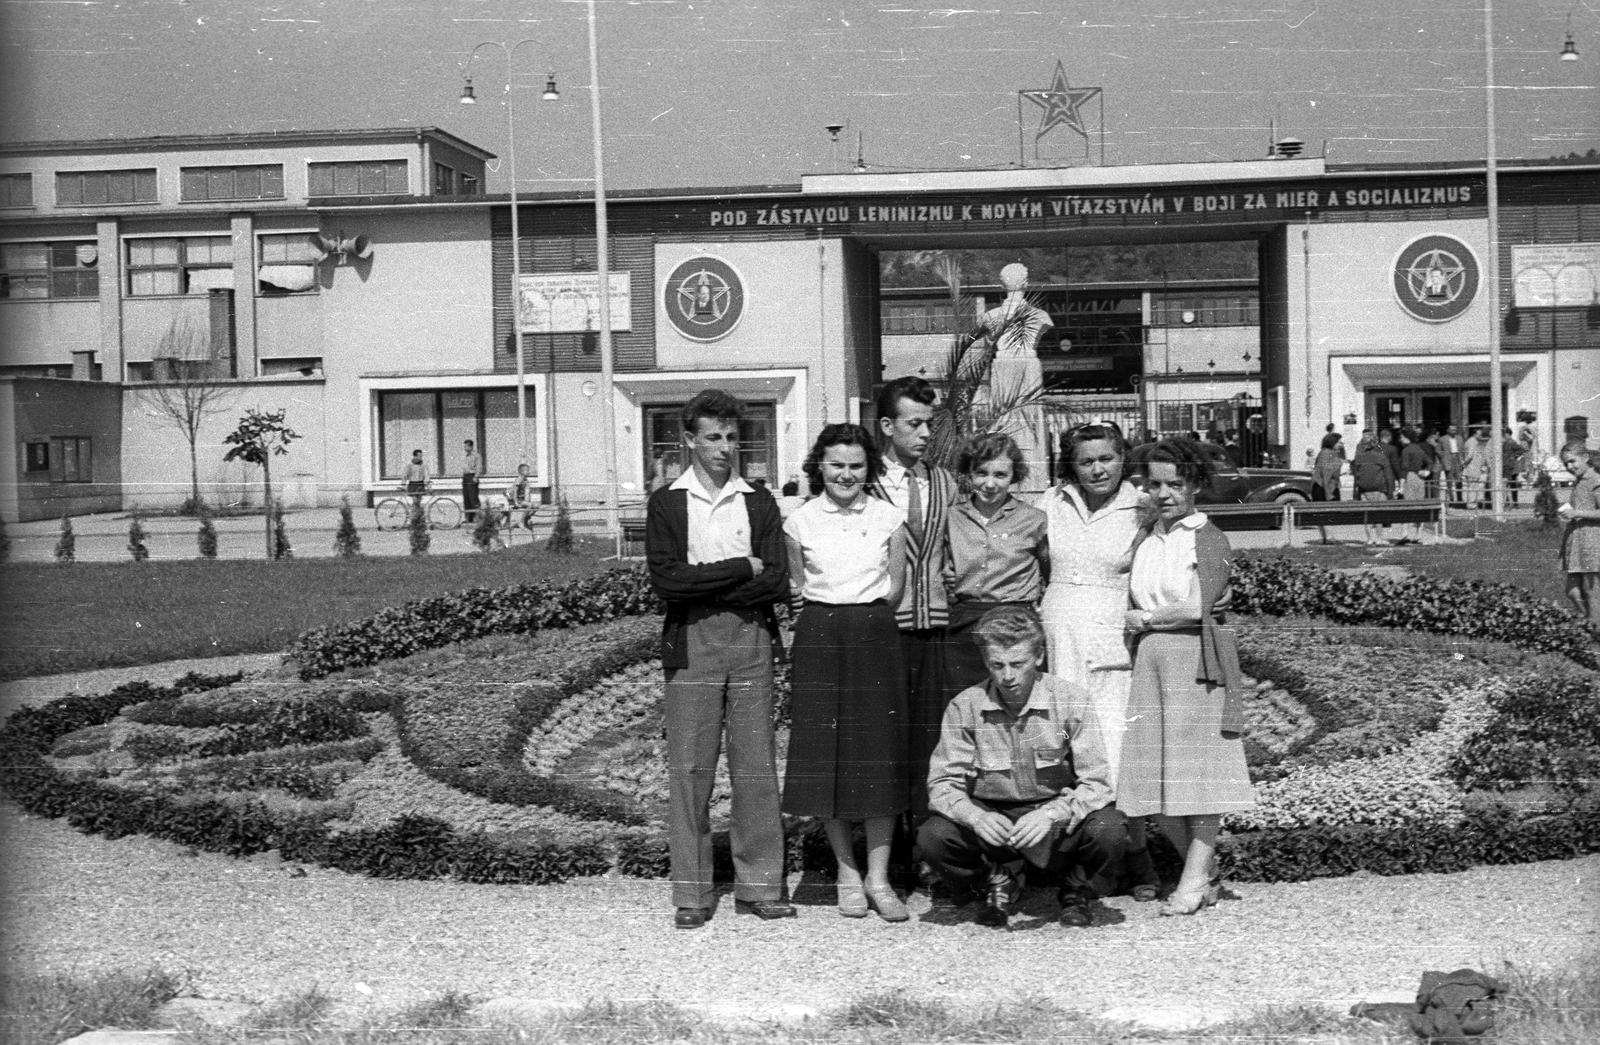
(849, 726)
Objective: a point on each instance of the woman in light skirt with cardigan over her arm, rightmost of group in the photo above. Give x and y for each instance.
(1183, 758)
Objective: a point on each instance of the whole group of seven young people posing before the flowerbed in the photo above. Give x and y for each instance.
(1006, 684)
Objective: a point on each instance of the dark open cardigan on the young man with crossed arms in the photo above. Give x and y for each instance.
(727, 583)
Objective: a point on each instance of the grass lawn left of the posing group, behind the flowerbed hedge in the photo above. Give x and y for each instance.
(81, 617)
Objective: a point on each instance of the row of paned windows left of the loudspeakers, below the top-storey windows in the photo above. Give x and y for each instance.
(182, 265)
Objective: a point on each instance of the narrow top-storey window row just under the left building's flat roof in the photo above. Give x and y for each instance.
(255, 182)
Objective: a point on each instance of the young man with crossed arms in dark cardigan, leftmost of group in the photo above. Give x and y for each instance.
(716, 550)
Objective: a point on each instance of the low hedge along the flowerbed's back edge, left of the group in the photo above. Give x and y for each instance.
(430, 623)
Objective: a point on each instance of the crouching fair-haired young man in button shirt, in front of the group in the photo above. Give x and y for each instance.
(1020, 777)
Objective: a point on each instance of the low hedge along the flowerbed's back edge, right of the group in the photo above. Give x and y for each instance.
(1479, 609)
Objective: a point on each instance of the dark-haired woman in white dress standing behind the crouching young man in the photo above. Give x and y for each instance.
(1094, 519)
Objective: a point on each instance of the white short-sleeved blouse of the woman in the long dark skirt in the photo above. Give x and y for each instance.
(846, 551)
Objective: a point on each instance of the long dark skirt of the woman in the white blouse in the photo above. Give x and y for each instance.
(849, 726)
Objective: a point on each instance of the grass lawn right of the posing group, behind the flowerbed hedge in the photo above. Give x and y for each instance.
(1522, 555)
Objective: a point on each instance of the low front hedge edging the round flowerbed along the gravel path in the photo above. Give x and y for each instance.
(423, 847)
